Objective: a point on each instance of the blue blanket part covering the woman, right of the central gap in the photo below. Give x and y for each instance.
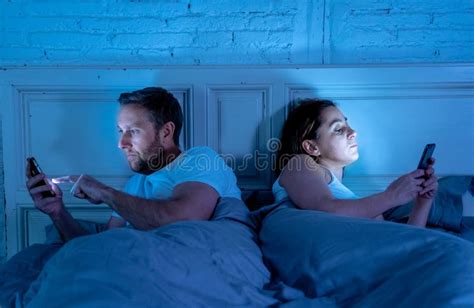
(366, 263)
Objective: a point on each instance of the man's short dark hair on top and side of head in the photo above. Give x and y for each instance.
(161, 104)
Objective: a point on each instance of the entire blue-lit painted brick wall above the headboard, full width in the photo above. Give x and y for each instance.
(235, 32)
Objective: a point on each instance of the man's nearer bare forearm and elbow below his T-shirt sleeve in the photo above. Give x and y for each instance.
(189, 201)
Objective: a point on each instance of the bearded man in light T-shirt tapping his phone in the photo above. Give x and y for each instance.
(169, 186)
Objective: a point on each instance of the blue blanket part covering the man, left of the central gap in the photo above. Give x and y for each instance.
(199, 263)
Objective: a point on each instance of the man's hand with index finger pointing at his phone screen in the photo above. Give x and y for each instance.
(85, 187)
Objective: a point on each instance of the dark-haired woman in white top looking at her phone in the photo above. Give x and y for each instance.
(317, 143)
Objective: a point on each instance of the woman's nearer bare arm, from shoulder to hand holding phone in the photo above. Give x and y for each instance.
(306, 184)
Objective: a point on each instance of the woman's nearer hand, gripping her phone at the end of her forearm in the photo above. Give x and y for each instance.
(405, 188)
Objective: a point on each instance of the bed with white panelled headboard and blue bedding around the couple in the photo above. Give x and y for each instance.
(393, 264)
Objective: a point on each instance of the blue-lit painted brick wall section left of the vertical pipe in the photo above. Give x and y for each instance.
(157, 32)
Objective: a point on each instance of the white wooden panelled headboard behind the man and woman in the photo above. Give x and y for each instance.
(65, 117)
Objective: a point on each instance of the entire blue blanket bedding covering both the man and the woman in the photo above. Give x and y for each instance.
(317, 260)
